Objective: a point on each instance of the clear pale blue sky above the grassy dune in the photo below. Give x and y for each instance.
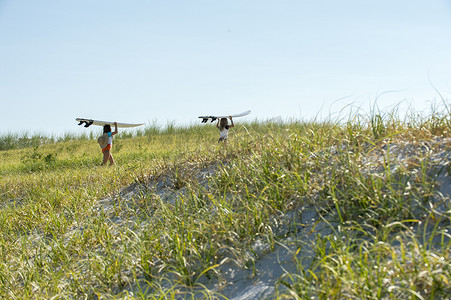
(171, 61)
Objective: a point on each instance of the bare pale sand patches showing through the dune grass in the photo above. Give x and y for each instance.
(269, 267)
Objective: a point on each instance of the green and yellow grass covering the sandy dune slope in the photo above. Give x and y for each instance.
(354, 209)
